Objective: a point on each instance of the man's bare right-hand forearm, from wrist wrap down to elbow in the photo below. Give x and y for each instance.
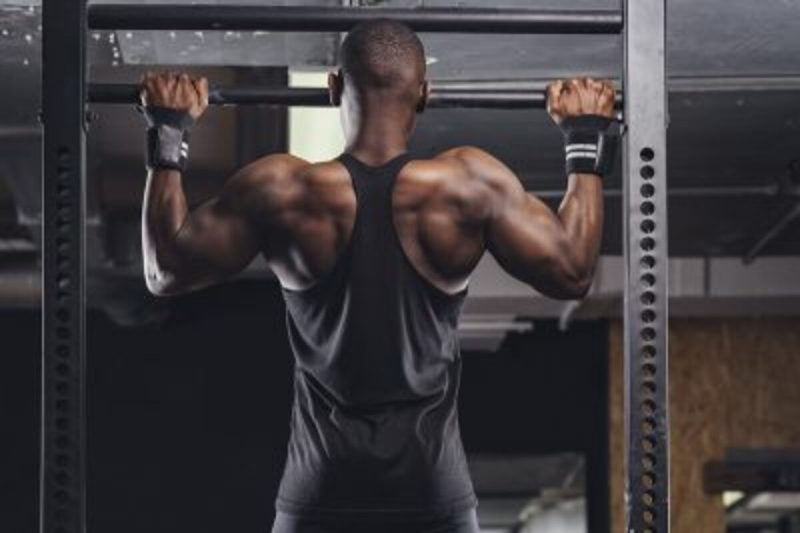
(581, 216)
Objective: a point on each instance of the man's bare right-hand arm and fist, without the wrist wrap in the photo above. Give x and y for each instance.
(555, 253)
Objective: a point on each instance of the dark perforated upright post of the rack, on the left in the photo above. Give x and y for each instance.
(62, 474)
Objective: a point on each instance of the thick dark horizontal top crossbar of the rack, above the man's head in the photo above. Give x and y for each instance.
(341, 19)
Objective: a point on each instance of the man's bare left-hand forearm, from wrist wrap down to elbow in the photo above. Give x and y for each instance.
(164, 211)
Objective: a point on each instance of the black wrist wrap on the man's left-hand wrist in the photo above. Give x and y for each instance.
(167, 138)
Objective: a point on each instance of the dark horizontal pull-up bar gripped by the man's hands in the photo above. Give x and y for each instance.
(129, 94)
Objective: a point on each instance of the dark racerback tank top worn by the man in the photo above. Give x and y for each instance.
(374, 426)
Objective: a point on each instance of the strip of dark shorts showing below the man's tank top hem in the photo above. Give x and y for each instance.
(466, 522)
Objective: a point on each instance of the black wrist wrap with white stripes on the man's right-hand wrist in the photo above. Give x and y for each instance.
(590, 144)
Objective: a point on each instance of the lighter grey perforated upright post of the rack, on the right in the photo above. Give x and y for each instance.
(646, 273)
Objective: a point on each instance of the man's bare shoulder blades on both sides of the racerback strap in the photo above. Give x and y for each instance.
(437, 212)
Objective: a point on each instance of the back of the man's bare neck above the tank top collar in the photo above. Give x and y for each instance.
(378, 137)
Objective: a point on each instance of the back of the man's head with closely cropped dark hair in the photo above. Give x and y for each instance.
(383, 55)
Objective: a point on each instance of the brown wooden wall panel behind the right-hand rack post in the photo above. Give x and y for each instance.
(734, 383)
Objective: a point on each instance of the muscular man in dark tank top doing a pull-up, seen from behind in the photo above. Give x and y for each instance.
(374, 251)
